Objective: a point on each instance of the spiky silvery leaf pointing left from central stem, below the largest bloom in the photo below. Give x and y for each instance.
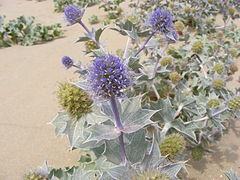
(101, 132)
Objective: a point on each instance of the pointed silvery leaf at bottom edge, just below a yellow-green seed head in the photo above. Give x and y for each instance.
(173, 169)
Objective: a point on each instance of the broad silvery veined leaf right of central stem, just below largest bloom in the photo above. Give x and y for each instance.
(133, 116)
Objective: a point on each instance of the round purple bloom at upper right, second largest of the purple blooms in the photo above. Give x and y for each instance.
(161, 20)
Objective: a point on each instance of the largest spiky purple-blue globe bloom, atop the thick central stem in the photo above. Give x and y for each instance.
(108, 76)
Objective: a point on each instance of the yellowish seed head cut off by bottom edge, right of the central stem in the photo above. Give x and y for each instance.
(150, 175)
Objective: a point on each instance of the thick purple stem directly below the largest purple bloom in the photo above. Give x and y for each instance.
(120, 127)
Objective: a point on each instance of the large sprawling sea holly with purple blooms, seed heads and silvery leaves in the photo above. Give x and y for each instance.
(133, 116)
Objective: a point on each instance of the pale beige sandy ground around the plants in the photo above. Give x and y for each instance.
(28, 81)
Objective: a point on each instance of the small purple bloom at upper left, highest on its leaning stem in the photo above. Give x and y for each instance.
(73, 14)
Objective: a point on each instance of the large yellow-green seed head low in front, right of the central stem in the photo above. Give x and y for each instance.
(172, 146)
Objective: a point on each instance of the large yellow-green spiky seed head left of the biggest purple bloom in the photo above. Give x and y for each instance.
(73, 100)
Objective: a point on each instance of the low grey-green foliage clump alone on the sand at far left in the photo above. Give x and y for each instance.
(25, 32)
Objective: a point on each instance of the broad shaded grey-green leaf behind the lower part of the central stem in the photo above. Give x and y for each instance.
(135, 145)
